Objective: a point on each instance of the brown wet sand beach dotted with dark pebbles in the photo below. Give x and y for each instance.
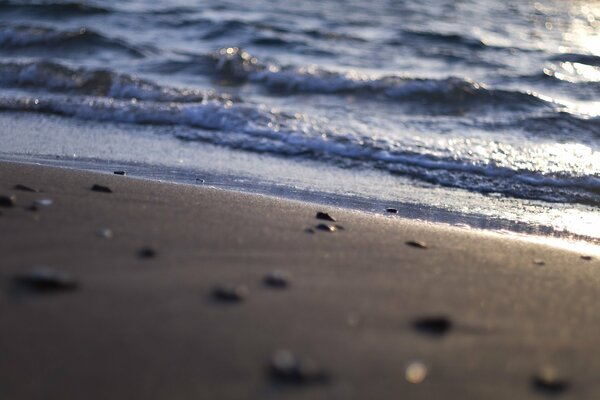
(163, 291)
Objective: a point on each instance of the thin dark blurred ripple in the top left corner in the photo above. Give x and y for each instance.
(50, 9)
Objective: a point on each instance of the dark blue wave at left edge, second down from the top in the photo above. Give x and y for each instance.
(14, 37)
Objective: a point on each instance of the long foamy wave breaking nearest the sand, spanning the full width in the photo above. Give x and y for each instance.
(258, 129)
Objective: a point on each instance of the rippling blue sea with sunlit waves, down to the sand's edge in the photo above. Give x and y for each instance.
(495, 102)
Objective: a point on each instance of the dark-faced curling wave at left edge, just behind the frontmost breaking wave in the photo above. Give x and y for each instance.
(54, 77)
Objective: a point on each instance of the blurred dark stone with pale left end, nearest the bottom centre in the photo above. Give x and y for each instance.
(288, 369)
